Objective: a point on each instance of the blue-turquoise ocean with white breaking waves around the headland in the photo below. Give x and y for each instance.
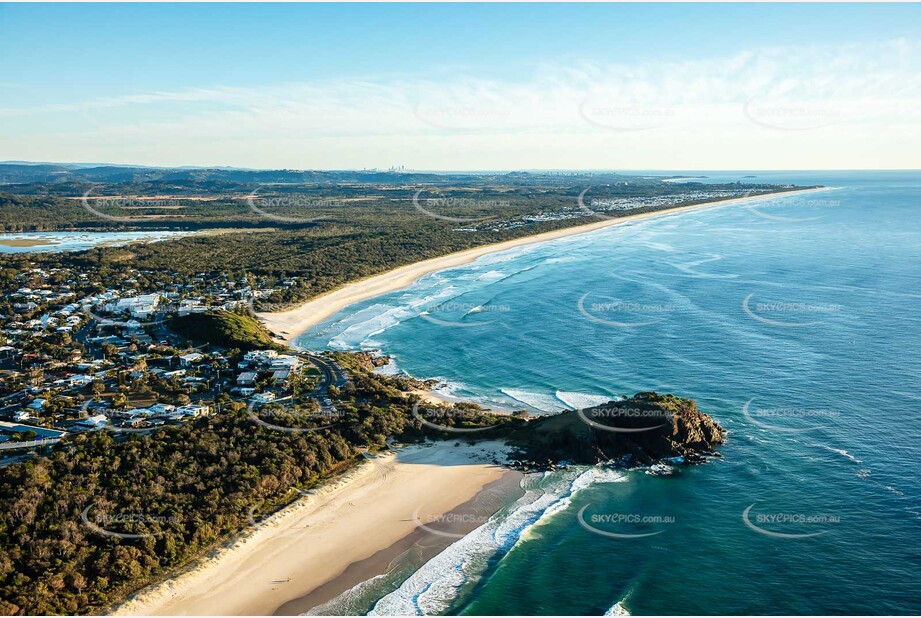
(794, 322)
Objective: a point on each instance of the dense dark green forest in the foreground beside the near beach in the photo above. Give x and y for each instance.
(181, 490)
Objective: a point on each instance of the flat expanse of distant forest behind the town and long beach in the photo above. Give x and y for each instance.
(329, 234)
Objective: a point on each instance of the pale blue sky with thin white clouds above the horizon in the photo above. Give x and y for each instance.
(463, 86)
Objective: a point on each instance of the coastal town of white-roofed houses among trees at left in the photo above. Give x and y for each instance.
(78, 354)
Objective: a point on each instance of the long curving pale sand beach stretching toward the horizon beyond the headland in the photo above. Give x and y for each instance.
(287, 325)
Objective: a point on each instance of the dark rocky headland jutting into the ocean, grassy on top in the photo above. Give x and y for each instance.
(646, 428)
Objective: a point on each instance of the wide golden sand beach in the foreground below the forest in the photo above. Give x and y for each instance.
(312, 543)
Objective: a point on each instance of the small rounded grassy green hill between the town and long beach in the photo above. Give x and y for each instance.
(225, 329)
